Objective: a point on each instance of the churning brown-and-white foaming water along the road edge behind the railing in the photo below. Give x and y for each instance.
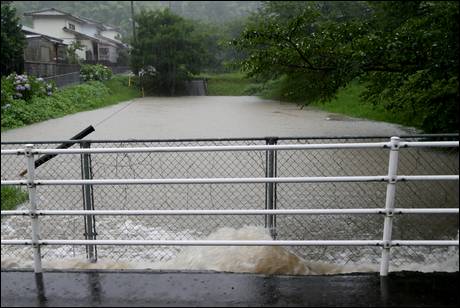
(244, 259)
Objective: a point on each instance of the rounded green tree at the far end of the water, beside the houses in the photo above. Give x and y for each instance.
(169, 44)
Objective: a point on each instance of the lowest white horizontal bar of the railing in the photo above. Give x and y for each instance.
(233, 242)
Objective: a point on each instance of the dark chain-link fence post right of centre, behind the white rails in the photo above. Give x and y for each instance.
(270, 188)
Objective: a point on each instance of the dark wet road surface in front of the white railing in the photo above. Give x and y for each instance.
(213, 289)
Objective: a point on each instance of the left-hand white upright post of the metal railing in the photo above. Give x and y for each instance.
(31, 186)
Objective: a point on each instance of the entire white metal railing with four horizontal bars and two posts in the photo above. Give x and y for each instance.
(389, 210)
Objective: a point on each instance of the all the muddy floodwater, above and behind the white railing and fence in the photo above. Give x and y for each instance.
(231, 117)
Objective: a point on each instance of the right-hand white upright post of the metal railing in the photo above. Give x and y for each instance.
(389, 205)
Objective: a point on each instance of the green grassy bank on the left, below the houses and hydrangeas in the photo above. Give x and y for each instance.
(87, 96)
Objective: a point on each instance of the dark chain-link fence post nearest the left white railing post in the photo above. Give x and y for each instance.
(88, 203)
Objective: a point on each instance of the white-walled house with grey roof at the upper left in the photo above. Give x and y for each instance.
(100, 41)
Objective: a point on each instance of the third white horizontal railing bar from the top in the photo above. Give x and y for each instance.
(230, 212)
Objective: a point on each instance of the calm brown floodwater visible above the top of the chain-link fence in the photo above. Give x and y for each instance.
(202, 117)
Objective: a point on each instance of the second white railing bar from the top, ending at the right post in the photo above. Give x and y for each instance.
(202, 180)
